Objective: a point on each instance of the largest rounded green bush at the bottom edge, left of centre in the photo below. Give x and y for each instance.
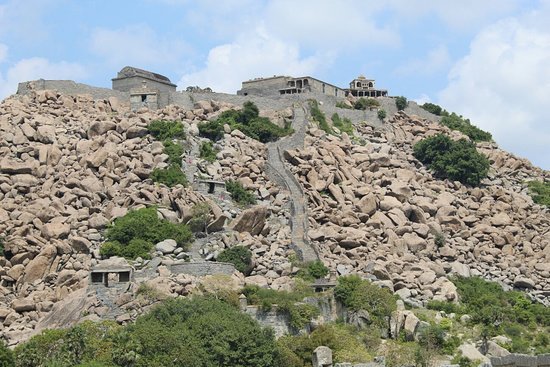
(200, 331)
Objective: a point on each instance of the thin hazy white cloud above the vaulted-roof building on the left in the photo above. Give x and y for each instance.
(137, 45)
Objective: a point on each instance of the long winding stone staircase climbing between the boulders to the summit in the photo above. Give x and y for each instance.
(277, 173)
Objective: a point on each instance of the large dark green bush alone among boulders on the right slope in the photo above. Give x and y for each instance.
(456, 160)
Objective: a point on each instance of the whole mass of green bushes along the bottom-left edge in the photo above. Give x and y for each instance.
(200, 331)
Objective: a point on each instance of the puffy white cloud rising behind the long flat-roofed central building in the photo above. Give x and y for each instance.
(251, 55)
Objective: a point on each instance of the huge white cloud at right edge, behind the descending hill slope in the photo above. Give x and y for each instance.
(502, 84)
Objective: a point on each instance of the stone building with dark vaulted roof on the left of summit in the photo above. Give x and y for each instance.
(146, 89)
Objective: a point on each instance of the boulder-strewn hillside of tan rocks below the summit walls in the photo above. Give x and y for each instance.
(70, 165)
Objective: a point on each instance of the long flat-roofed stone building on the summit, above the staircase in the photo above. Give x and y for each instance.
(284, 85)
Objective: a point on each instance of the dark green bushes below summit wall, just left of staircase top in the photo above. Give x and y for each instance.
(248, 121)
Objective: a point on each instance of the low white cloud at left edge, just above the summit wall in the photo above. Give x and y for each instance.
(36, 68)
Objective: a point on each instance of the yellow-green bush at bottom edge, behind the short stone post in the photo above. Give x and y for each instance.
(346, 343)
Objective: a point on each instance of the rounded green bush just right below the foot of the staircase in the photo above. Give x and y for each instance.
(359, 294)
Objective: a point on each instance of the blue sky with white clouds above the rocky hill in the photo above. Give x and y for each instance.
(488, 60)
